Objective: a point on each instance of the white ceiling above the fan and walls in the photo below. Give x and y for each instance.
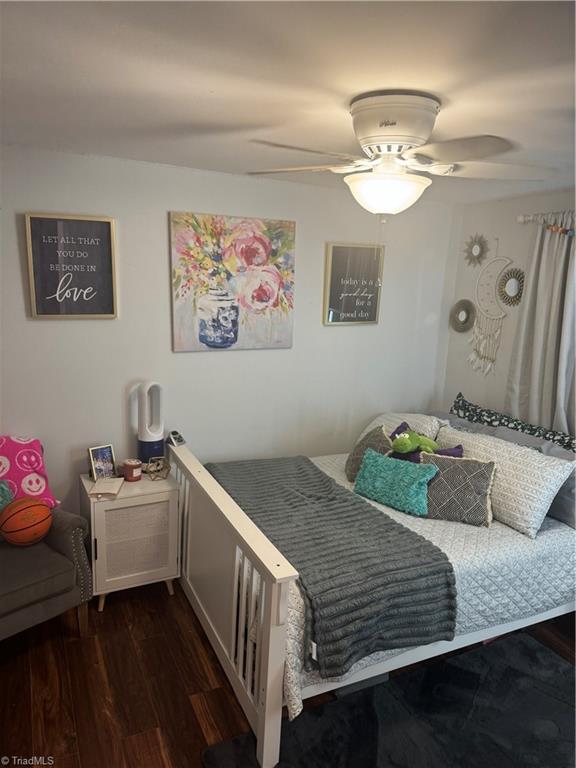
(191, 83)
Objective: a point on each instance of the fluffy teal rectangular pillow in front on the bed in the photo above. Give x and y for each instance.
(399, 484)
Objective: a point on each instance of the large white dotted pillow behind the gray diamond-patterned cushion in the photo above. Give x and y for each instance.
(525, 482)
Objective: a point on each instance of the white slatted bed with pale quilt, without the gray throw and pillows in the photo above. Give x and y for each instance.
(246, 596)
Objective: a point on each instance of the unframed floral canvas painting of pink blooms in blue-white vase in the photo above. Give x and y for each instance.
(232, 282)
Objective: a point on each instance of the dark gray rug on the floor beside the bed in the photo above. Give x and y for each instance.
(506, 705)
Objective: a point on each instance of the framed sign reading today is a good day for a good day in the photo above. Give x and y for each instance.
(352, 282)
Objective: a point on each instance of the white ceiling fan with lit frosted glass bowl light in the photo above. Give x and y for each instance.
(393, 129)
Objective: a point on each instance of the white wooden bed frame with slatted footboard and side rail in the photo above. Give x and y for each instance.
(237, 583)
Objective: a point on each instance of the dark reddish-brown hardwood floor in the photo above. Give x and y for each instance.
(143, 688)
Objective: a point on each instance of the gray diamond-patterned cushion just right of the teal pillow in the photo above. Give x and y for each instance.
(460, 492)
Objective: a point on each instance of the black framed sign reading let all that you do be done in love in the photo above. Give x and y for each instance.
(71, 266)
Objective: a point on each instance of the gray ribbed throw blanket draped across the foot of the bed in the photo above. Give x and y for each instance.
(369, 583)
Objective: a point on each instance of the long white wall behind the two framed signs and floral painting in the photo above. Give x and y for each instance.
(67, 381)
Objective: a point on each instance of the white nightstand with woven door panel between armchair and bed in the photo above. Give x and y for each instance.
(134, 537)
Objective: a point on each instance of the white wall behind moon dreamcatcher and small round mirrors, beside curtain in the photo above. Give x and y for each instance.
(496, 219)
